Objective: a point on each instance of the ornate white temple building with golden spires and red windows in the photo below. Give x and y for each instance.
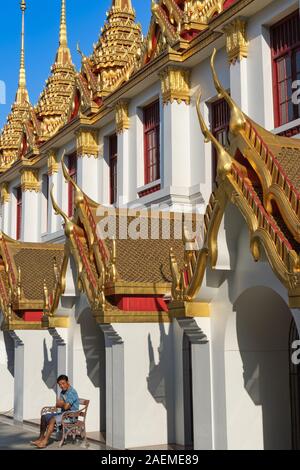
(150, 241)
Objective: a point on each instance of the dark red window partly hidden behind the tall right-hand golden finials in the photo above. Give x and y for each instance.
(220, 128)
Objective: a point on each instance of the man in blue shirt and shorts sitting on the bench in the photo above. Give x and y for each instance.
(67, 401)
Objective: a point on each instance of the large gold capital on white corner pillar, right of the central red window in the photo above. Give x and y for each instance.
(175, 85)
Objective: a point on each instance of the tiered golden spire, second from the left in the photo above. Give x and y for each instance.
(55, 102)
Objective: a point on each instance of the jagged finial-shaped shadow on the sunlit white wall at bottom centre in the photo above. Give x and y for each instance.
(159, 380)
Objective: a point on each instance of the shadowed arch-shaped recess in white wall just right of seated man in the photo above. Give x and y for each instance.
(93, 344)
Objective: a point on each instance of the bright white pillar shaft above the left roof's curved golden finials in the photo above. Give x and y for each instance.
(88, 175)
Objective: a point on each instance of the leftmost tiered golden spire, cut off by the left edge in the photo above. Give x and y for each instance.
(11, 136)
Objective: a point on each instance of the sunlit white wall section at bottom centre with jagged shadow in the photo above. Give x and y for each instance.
(148, 383)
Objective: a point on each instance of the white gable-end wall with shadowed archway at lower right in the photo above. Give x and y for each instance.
(250, 324)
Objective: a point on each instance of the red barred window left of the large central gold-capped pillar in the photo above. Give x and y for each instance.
(152, 142)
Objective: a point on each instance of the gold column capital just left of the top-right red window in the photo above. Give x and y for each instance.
(236, 40)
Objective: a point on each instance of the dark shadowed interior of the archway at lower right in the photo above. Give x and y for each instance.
(263, 322)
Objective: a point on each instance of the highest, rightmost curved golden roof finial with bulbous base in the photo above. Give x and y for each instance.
(237, 119)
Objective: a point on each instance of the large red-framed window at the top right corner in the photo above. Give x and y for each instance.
(285, 45)
